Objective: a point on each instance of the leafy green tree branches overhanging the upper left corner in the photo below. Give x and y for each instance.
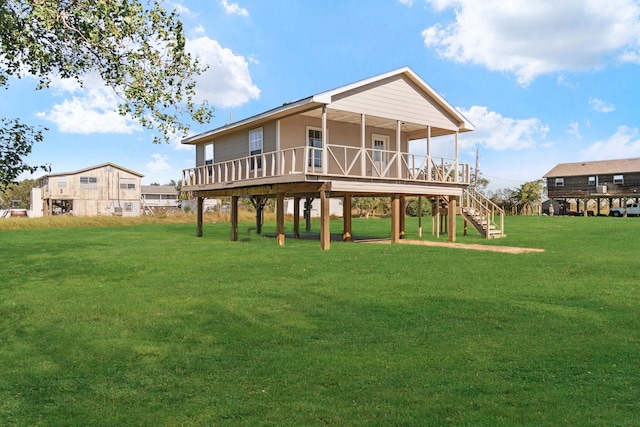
(136, 47)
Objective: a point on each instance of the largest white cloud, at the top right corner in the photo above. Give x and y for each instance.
(529, 39)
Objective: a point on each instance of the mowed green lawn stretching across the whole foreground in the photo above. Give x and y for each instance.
(148, 325)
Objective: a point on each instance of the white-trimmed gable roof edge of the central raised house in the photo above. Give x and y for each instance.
(326, 98)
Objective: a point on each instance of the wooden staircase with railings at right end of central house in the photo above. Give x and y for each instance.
(482, 213)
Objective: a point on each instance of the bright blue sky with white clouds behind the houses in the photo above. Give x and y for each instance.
(544, 82)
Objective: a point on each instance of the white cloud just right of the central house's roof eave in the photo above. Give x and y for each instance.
(496, 132)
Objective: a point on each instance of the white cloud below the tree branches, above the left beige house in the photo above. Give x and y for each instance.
(95, 111)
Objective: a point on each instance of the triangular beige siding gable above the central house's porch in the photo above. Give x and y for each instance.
(395, 98)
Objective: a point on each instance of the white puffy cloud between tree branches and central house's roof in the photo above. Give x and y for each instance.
(227, 82)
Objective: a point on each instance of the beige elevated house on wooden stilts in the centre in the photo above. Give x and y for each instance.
(346, 142)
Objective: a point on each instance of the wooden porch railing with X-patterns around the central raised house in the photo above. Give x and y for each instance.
(335, 161)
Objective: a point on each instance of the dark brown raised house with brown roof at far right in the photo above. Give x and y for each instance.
(604, 179)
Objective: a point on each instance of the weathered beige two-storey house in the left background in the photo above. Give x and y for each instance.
(105, 189)
